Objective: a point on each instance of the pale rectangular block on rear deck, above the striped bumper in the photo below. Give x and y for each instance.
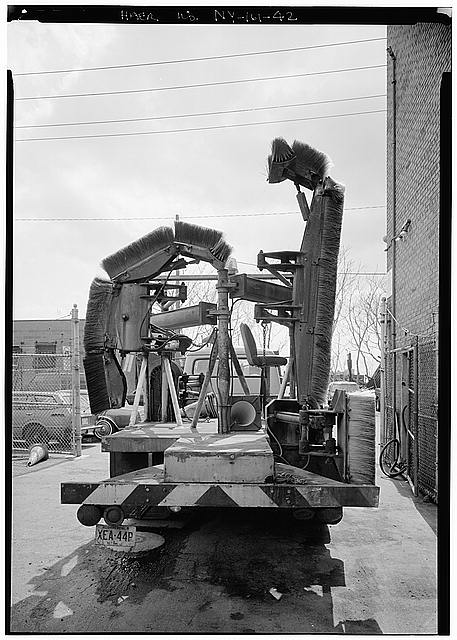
(234, 457)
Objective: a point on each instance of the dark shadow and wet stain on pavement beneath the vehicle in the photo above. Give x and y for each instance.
(230, 555)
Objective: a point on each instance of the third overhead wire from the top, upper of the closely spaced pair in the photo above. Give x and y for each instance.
(193, 115)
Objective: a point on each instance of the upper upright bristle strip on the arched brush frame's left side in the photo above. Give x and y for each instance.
(98, 307)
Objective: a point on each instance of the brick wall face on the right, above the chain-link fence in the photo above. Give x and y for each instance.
(423, 54)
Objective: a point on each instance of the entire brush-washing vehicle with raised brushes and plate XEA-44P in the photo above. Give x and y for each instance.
(294, 452)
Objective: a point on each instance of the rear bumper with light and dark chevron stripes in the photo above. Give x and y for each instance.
(146, 488)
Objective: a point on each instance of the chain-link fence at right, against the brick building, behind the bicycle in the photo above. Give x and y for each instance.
(411, 408)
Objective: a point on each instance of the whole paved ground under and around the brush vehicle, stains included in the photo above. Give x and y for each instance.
(374, 572)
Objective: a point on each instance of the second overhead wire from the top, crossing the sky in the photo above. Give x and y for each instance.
(199, 85)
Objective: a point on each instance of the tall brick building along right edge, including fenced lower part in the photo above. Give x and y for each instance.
(418, 130)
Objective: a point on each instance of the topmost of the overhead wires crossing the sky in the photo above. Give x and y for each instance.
(183, 60)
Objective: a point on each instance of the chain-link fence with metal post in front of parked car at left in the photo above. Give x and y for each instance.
(49, 400)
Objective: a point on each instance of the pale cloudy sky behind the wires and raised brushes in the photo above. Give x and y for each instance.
(219, 172)
